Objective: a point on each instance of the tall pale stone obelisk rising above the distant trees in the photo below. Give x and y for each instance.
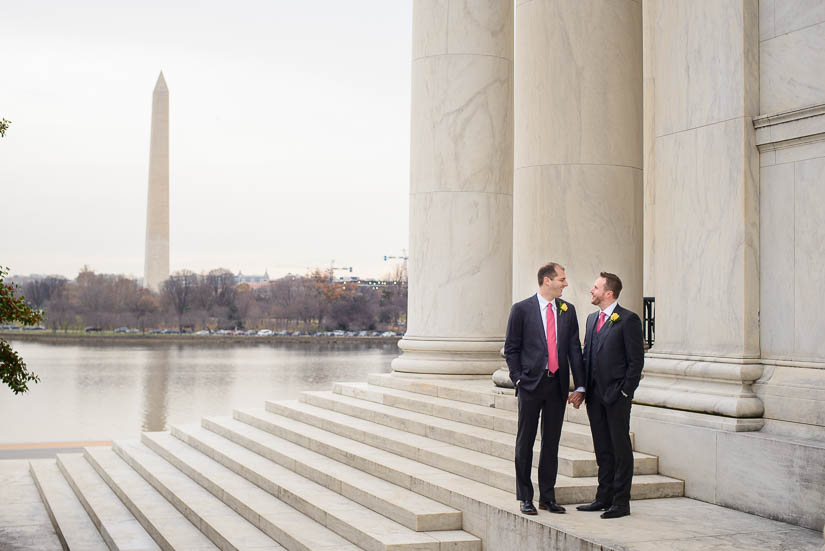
(156, 267)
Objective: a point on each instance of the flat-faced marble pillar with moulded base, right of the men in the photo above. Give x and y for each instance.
(702, 199)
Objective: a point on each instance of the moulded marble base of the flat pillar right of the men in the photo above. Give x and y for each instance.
(716, 386)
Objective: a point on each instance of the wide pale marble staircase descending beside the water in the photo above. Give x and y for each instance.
(392, 464)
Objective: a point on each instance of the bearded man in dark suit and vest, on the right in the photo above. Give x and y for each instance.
(613, 358)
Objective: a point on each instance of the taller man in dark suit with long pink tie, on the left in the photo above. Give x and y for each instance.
(542, 347)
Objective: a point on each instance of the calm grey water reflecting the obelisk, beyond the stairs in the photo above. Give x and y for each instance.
(106, 392)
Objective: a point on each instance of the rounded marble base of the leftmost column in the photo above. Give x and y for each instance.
(456, 357)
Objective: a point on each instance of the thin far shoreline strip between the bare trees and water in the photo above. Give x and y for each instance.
(137, 338)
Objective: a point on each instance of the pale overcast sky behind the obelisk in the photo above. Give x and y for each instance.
(289, 133)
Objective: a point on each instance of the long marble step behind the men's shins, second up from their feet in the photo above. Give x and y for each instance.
(573, 462)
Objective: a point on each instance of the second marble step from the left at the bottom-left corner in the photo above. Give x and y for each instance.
(115, 523)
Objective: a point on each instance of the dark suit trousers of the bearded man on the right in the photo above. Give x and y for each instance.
(610, 427)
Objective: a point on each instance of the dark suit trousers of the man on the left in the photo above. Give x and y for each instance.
(547, 402)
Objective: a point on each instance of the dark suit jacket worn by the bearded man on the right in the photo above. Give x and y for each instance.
(616, 359)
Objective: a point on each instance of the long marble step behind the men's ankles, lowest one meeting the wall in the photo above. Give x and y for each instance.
(470, 464)
